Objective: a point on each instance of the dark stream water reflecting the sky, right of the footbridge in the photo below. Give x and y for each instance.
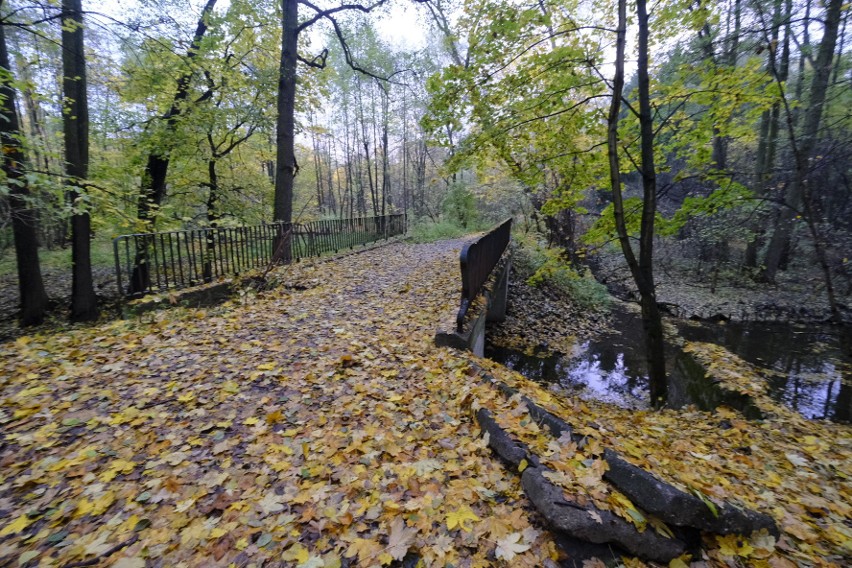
(812, 366)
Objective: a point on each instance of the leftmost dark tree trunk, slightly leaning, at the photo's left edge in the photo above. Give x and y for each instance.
(31, 286)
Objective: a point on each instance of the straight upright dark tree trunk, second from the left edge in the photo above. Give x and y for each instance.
(75, 123)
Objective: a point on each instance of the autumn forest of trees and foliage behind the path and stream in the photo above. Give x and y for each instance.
(163, 115)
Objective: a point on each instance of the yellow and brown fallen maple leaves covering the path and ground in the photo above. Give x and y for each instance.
(319, 426)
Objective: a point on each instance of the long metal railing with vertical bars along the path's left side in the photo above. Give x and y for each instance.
(172, 260)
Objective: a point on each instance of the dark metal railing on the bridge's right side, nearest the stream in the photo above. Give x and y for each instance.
(478, 258)
